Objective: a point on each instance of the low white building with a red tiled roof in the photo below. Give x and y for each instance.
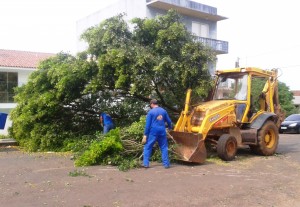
(15, 68)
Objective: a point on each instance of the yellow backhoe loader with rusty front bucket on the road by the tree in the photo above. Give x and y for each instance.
(243, 110)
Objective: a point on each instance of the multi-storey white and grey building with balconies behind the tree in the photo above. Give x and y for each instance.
(199, 19)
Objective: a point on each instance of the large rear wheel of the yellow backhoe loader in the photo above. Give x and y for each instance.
(267, 139)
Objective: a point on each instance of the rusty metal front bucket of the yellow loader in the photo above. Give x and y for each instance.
(190, 147)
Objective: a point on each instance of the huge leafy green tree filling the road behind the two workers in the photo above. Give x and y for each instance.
(119, 73)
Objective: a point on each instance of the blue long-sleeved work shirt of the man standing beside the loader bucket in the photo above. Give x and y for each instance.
(155, 122)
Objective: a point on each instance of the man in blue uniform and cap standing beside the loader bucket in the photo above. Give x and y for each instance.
(155, 131)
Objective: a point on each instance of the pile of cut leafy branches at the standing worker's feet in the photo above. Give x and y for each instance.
(120, 147)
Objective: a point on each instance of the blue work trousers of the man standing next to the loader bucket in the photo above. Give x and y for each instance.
(163, 145)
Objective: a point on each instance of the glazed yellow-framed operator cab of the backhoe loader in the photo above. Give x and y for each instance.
(247, 90)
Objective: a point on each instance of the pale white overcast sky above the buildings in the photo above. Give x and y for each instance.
(262, 34)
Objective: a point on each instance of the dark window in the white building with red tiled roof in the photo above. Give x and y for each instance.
(8, 81)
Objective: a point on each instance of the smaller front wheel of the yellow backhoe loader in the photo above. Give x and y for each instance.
(227, 147)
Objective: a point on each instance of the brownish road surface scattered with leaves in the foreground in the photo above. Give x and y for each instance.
(50, 179)
